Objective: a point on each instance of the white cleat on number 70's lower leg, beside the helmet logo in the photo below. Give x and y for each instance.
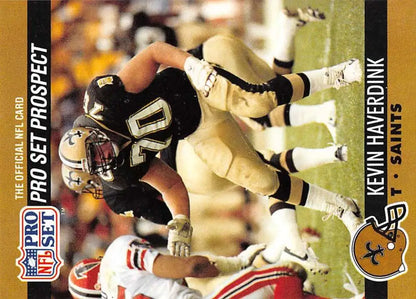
(347, 210)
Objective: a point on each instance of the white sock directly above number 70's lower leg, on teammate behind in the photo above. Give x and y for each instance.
(305, 158)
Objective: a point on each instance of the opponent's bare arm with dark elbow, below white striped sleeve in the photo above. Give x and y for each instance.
(168, 266)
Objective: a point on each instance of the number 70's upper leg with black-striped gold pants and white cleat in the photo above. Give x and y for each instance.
(231, 93)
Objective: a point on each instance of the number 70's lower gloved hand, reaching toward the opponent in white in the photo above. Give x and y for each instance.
(180, 234)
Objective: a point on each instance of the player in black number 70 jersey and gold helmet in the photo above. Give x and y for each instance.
(132, 115)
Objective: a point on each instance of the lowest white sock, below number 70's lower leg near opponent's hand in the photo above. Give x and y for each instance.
(286, 225)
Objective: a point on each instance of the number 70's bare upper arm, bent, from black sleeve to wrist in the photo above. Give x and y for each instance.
(140, 71)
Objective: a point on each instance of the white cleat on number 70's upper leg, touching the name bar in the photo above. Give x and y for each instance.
(343, 74)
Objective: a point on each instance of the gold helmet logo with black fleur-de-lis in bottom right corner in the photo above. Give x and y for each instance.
(378, 250)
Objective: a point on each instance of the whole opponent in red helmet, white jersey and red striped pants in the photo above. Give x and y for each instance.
(131, 268)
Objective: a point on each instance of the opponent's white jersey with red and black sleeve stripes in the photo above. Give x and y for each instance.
(126, 273)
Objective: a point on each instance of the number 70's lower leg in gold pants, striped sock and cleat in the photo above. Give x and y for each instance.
(222, 146)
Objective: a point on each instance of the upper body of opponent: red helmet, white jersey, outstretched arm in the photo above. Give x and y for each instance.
(131, 268)
